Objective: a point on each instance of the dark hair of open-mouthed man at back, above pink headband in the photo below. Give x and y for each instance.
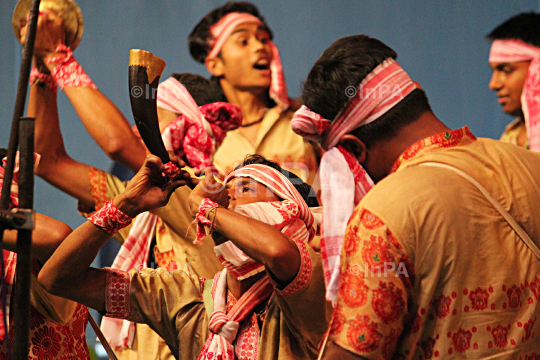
(200, 37)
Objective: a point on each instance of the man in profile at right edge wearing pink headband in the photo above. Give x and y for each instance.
(515, 60)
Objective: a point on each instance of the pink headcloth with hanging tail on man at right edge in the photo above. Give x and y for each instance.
(516, 50)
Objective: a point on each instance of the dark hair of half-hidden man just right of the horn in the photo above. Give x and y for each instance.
(204, 91)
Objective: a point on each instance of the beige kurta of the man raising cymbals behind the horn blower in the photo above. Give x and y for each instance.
(173, 250)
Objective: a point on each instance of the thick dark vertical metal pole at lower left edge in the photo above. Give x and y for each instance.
(24, 240)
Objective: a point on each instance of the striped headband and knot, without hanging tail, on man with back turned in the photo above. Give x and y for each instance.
(379, 92)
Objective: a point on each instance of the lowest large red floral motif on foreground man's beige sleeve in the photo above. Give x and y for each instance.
(363, 335)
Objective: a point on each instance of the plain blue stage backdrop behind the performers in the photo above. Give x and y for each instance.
(441, 44)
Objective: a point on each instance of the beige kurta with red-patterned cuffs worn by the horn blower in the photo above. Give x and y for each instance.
(172, 304)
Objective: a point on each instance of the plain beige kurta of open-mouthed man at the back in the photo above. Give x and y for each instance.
(276, 142)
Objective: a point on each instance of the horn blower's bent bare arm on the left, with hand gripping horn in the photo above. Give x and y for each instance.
(68, 273)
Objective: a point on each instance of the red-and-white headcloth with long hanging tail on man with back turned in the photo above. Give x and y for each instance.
(343, 180)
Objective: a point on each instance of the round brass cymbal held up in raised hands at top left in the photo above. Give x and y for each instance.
(68, 10)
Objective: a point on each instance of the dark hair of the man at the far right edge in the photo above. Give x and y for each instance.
(524, 27)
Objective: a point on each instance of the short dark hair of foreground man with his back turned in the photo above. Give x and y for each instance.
(346, 63)
